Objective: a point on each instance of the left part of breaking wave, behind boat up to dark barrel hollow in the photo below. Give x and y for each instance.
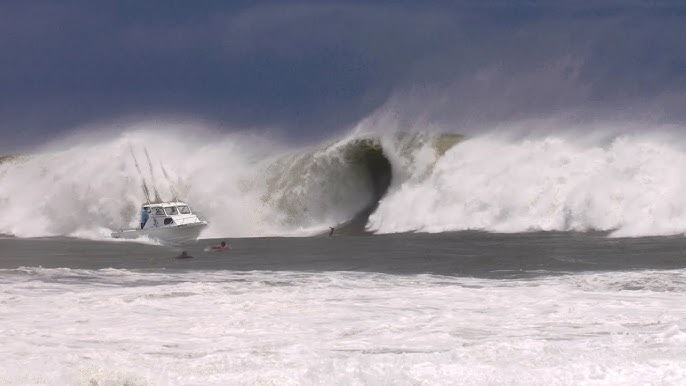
(243, 186)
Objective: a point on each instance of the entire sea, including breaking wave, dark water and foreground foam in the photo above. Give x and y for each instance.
(528, 259)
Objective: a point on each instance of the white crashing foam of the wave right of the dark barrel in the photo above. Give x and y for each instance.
(632, 185)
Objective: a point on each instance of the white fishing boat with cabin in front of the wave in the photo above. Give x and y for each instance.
(169, 222)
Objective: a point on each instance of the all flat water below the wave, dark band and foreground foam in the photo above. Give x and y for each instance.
(469, 307)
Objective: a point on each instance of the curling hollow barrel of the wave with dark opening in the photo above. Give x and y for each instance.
(342, 183)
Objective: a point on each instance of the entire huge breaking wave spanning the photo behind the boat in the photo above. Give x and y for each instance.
(631, 185)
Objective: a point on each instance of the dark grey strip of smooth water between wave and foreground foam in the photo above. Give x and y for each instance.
(459, 254)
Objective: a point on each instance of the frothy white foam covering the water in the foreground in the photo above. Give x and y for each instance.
(122, 327)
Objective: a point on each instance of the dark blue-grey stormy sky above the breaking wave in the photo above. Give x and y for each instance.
(311, 69)
